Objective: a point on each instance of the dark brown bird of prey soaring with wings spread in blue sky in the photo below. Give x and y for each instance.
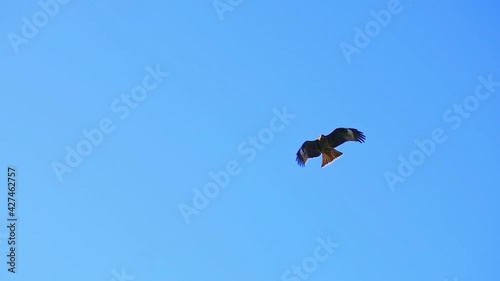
(325, 145)
